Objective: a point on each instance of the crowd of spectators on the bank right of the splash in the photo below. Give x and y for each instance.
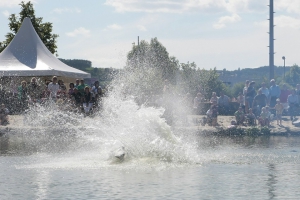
(255, 106)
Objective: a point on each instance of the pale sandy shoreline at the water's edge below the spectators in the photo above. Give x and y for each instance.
(16, 125)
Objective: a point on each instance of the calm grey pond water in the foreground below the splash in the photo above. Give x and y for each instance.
(225, 168)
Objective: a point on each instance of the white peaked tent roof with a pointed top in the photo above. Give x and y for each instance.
(26, 55)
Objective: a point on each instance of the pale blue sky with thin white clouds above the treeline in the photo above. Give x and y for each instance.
(212, 33)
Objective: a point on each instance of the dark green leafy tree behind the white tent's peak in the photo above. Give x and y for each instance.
(44, 30)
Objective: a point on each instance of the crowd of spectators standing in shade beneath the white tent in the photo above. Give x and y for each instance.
(79, 97)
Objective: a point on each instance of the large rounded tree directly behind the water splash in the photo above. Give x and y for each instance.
(148, 67)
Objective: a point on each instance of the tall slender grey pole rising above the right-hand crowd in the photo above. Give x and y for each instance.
(271, 40)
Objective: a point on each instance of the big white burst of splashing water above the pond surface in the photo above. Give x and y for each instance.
(77, 141)
